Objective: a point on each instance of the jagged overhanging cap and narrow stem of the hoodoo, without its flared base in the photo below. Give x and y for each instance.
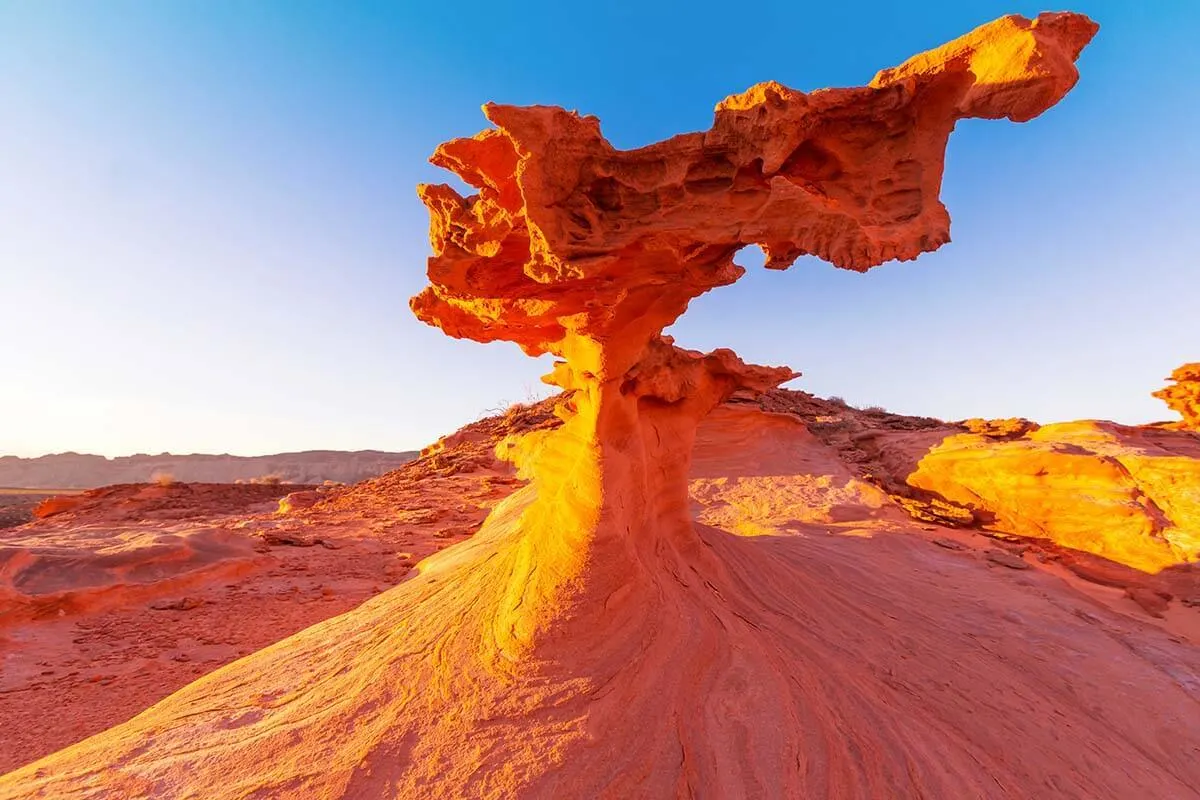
(577, 249)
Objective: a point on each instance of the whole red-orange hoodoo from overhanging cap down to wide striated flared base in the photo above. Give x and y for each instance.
(592, 640)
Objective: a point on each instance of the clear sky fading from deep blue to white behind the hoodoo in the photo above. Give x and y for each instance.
(209, 230)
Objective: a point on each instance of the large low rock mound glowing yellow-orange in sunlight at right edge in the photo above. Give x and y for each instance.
(1119, 492)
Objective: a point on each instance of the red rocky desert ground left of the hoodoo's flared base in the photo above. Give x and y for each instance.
(87, 664)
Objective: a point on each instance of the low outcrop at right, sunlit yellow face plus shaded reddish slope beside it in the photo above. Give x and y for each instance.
(1129, 495)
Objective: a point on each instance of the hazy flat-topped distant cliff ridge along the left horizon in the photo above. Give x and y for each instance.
(79, 472)
